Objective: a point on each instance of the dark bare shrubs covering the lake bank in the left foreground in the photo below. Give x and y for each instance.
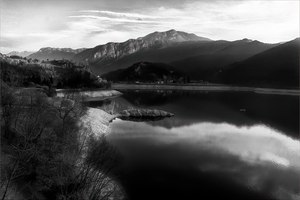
(50, 155)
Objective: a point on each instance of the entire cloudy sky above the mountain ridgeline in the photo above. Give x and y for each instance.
(32, 24)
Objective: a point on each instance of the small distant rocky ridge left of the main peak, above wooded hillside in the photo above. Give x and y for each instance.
(55, 53)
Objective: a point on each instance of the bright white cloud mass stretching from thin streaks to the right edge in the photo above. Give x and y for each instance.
(223, 20)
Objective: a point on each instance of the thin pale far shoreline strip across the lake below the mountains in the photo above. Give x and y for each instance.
(215, 88)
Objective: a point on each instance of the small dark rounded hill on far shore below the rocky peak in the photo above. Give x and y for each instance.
(146, 72)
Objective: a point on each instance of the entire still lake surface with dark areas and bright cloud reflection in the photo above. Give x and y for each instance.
(230, 145)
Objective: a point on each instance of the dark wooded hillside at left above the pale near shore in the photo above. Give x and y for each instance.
(24, 72)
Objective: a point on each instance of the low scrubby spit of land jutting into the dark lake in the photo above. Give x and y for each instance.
(143, 114)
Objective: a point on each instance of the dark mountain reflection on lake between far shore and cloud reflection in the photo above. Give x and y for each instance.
(241, 109)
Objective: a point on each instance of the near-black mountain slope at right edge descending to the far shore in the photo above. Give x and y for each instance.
(276, 67)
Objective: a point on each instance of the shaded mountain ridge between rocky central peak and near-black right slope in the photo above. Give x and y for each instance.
(206, 62)
